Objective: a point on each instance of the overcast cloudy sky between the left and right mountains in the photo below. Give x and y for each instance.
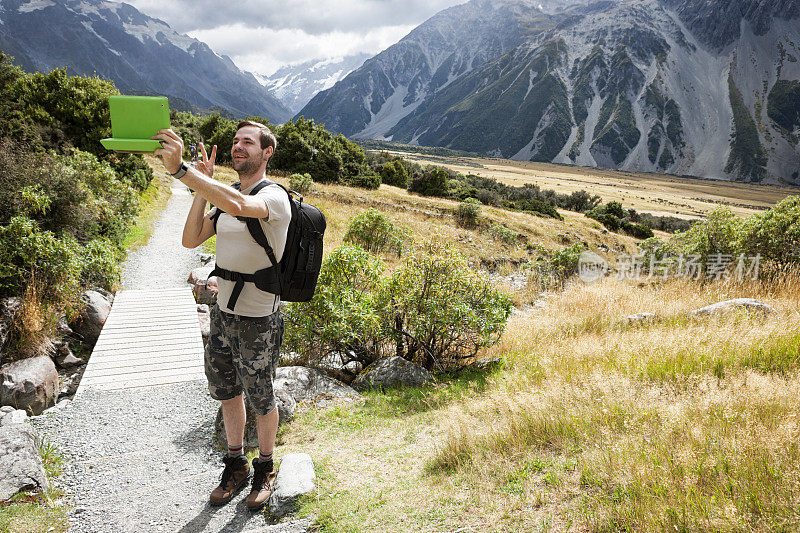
(263, 35)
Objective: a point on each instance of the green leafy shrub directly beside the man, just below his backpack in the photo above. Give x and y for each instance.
(342, 319)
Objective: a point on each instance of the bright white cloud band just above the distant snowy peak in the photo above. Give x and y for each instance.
(264, 50)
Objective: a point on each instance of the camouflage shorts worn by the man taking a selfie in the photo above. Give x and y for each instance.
(242, 356)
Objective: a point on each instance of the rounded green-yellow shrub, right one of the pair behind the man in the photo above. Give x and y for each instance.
(440, 312)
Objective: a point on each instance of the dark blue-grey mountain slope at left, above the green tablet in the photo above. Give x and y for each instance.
(140, 54)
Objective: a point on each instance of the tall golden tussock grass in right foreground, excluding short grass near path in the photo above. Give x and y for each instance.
(680, 424)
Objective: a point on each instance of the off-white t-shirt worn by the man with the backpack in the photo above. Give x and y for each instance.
(239, 252)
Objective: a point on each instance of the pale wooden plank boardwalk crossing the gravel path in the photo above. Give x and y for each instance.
(151, 337)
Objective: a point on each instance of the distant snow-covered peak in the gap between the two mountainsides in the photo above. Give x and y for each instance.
(296, 85)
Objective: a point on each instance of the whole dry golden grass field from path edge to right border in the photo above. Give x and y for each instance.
(593, 424)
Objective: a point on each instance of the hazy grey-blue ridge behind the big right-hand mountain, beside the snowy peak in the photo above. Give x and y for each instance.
(370, 100)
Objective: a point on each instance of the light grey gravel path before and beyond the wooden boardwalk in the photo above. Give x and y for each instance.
(142, 460)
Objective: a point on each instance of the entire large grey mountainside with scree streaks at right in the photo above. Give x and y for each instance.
(684, 87)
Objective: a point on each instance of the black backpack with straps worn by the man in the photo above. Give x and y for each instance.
(294, 278)
